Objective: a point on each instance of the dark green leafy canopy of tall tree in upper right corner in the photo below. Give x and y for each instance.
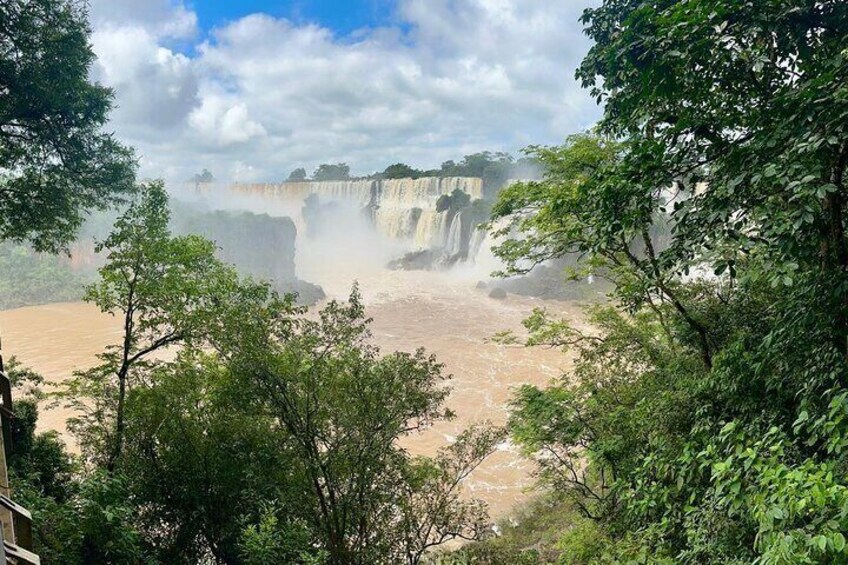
(704, 92)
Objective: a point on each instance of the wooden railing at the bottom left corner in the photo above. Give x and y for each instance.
(16, 530)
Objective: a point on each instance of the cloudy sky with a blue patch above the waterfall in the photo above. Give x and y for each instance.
(251, 89)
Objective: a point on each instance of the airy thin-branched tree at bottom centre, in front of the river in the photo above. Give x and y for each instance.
(342, 407)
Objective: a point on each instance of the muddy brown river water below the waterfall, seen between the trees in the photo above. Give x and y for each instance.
(445, 314)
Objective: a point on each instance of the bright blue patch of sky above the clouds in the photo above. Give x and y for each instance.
(342, 16)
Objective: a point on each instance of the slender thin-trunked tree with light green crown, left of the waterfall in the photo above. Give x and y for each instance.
(165, 290)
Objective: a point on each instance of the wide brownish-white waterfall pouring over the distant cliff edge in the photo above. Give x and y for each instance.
(416, 212)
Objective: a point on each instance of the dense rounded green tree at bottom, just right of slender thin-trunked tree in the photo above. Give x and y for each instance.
(195, 419)
